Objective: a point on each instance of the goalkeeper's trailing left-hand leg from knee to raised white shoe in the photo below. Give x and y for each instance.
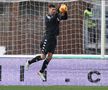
(36, 59)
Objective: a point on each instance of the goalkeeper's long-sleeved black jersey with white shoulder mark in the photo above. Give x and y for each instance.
(52, 24)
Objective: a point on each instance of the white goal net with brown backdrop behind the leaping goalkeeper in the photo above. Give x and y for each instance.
(22, 27)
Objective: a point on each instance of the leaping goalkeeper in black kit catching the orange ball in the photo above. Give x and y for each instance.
(49, 41)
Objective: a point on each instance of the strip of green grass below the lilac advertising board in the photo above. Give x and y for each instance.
(53, 88)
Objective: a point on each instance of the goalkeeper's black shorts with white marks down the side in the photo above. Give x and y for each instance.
(48, 45)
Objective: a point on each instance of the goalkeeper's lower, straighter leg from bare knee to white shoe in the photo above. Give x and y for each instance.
(44, 66)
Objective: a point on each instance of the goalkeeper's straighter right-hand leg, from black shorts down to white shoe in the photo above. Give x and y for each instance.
(49, 48)
